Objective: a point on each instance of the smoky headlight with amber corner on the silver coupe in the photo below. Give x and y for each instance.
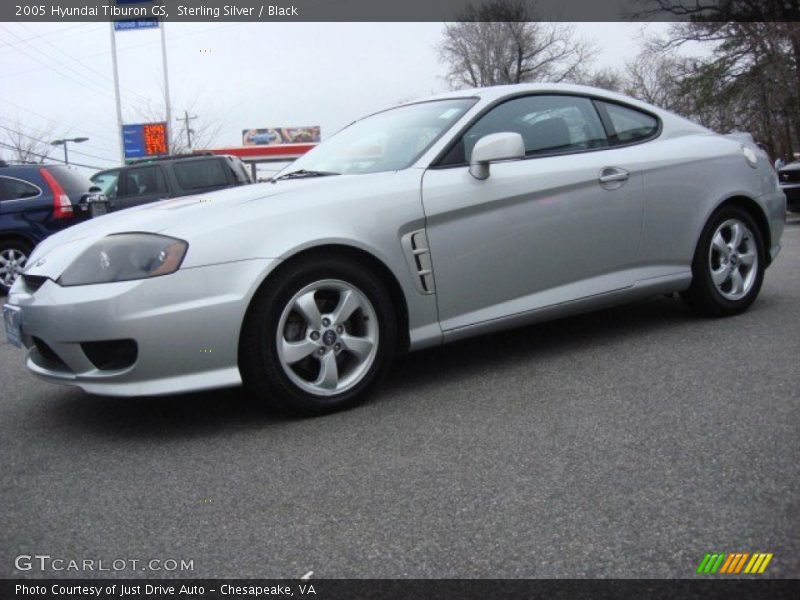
(125, 256)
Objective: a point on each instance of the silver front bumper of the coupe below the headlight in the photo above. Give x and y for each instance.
(186, 328)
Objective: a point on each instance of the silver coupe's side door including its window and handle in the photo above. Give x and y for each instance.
(561, 224)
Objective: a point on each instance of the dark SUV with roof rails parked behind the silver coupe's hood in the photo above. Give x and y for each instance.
(149, 180)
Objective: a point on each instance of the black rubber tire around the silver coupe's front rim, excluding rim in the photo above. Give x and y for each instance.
(259, 362)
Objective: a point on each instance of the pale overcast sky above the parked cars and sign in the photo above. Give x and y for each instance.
(56, 78)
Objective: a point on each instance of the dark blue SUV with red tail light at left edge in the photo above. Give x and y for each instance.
(35, 202)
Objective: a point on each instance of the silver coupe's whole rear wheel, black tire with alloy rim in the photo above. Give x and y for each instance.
(728, 266)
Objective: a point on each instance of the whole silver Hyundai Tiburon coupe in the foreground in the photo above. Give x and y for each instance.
(429, 222)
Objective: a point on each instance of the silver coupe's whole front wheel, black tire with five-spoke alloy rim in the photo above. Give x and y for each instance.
(317, 337)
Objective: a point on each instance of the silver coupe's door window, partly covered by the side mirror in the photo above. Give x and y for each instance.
(547, 124)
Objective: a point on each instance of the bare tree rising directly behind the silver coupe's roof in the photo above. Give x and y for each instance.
(501, 42)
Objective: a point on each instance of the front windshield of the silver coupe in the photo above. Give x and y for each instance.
(386, 141)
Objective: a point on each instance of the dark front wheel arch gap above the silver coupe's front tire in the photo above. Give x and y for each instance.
(360, 256)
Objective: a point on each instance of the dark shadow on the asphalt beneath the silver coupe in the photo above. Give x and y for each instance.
(230, 410)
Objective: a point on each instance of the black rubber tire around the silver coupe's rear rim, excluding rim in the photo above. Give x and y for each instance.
(703, 296)
